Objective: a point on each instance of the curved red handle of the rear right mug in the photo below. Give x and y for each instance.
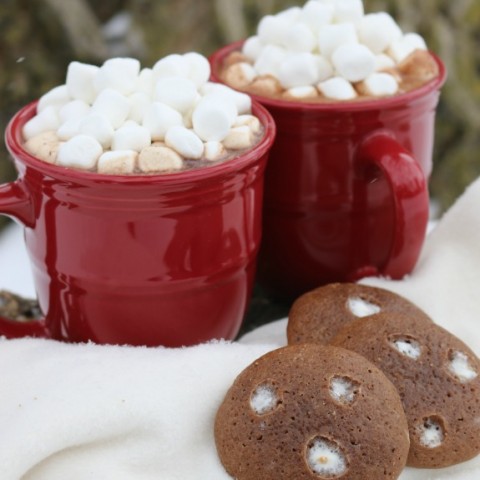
(409, 189)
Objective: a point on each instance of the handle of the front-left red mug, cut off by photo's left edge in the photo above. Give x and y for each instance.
(15, 202)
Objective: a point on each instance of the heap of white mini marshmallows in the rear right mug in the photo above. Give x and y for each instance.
(327, 45)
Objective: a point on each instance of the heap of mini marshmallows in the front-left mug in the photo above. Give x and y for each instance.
(120, 119)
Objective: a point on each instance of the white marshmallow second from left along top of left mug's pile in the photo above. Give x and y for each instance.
(118, 74)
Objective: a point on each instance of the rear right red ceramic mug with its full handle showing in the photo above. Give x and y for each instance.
(346, 190)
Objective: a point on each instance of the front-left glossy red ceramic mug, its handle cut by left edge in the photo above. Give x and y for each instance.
(140, 260)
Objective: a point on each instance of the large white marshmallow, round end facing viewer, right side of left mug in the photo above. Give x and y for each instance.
(213, 117)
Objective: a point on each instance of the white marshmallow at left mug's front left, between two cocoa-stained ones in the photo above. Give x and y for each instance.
(81, 151)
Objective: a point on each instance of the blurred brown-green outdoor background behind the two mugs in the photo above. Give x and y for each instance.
(40, 37)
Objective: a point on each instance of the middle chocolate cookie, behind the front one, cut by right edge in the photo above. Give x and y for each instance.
(437, 377)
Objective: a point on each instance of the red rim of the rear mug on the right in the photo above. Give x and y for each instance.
(336, 106)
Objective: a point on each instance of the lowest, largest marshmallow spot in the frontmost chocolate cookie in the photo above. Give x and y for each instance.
(325, 458)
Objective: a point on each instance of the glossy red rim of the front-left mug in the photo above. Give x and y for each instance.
(13, 141)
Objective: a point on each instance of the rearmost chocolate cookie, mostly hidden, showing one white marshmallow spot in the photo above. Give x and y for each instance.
(318, 315)
